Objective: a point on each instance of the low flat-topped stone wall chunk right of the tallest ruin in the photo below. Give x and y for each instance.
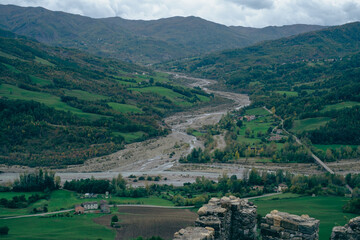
(280, 225)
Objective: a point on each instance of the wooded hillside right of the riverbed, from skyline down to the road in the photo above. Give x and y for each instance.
(310, 80)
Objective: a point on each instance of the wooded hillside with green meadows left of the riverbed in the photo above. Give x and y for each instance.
(61, 106)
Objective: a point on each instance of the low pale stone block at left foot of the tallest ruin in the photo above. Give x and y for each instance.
(195, 233)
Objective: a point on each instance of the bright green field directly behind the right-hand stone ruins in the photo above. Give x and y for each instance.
(325, 208)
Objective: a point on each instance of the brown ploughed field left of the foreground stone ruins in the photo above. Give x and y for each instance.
(149, 221)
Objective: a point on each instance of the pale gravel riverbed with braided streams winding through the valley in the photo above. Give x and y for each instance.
(158, 156)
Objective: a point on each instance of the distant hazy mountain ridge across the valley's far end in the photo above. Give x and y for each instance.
(136, 40)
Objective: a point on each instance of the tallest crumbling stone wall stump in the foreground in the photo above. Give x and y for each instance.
(230, 217)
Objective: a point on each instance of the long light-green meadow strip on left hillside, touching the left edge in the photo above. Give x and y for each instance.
(13, 93)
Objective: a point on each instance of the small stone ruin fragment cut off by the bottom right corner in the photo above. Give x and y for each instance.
(350, 231)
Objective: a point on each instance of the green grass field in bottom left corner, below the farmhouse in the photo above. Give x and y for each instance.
(76, 227)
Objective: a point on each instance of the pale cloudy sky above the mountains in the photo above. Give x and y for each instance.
(252, 13)
